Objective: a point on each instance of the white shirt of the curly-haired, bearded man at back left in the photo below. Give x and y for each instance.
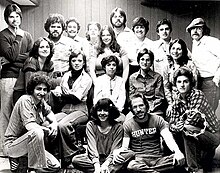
(62, 51)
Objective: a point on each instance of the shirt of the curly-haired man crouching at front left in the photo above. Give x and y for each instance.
(25, 111)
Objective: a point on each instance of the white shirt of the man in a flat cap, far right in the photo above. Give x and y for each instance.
(206, 55)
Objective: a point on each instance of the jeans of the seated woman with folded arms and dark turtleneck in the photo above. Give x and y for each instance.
(66, 126)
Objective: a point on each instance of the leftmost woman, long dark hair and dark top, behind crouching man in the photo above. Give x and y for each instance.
(39, 60)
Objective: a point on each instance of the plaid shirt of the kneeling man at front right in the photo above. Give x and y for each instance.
(195, 100)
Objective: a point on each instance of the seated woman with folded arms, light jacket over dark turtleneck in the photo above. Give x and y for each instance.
(73, 91)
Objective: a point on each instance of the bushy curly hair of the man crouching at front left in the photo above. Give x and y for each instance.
(37, 79)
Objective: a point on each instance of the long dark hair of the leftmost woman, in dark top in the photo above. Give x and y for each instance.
(34, 51)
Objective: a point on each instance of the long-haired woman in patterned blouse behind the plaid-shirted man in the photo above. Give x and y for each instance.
(178, 58)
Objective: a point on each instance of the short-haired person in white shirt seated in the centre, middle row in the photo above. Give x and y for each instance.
(109, 85)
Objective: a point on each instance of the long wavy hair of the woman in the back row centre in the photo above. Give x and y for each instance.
(114, 46)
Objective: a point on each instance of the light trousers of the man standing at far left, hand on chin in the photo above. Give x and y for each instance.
(7, 89)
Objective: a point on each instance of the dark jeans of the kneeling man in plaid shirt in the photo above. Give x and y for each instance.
(201, 150)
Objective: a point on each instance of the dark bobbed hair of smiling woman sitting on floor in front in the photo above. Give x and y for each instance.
(105, 104)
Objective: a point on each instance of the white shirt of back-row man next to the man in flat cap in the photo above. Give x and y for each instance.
(160, 49)
